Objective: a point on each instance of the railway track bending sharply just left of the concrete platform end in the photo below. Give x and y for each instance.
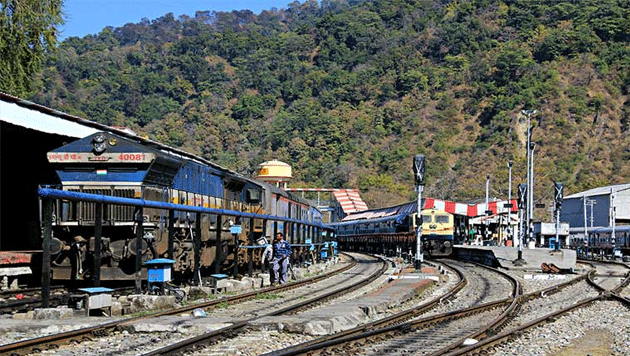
(397, 335)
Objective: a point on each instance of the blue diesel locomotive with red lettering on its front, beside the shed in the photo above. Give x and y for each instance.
(125, 165)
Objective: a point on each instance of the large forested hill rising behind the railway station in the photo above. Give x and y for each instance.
(348, 92)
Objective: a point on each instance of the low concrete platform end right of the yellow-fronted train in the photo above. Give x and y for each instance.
(504, 257)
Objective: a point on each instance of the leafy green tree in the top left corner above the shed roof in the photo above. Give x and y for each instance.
(28, 30)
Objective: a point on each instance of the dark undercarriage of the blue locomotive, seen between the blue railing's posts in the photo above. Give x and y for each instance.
(73, 251)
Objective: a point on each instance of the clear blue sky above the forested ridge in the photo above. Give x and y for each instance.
(84, 17)
